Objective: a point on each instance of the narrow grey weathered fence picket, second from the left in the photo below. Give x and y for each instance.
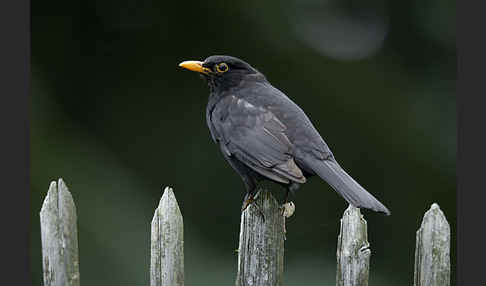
(167, 244)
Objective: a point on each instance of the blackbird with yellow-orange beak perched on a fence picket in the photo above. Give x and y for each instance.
(264, 135)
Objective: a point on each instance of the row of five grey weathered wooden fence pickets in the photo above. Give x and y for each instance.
(261, 246)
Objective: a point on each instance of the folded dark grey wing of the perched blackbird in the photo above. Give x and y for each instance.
(256, 137)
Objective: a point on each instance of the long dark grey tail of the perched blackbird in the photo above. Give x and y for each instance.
(346, 186)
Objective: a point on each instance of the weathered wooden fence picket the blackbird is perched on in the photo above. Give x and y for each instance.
(261, 247)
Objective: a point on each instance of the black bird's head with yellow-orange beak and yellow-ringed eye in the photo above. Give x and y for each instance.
(222, 72)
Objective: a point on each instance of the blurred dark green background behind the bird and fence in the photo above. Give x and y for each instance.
(117, 119)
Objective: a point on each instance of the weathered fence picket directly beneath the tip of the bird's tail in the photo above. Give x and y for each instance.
(353, 252)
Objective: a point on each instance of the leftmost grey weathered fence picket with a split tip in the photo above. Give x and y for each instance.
(59, 237)
